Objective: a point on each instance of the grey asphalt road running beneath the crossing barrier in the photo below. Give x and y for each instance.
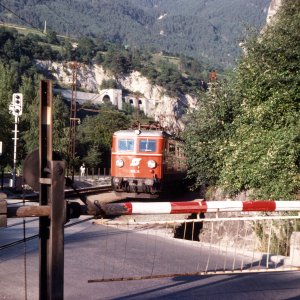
(94, 252)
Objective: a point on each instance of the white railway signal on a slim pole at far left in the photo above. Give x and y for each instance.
(15, 108)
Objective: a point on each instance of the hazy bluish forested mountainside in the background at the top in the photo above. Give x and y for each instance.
(210, 29)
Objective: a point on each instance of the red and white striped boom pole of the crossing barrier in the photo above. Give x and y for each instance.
(198, 206)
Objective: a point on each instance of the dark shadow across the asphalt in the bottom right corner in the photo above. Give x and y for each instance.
(242, 286)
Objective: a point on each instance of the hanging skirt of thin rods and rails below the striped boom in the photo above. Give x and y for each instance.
(221, 246)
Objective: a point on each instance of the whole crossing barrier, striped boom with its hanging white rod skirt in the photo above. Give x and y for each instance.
(233, 237)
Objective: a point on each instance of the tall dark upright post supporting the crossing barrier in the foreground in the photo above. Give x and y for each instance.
(51, 178)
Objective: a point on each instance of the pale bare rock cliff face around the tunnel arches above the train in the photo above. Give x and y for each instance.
(162, 107)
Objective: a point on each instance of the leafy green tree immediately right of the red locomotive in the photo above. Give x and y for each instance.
(207, 131)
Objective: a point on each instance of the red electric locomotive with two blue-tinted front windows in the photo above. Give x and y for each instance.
(145, 162)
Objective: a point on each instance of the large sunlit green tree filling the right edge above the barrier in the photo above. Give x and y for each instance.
(264, 152)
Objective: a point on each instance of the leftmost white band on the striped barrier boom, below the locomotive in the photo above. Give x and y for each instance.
(151, 208)
